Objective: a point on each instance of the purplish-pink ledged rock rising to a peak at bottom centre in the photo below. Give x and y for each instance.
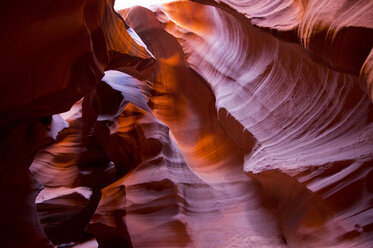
(165, 204)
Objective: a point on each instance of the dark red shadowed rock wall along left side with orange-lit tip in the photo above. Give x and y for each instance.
(53, 55)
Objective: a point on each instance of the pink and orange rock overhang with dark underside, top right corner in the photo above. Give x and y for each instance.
(337, 34)
